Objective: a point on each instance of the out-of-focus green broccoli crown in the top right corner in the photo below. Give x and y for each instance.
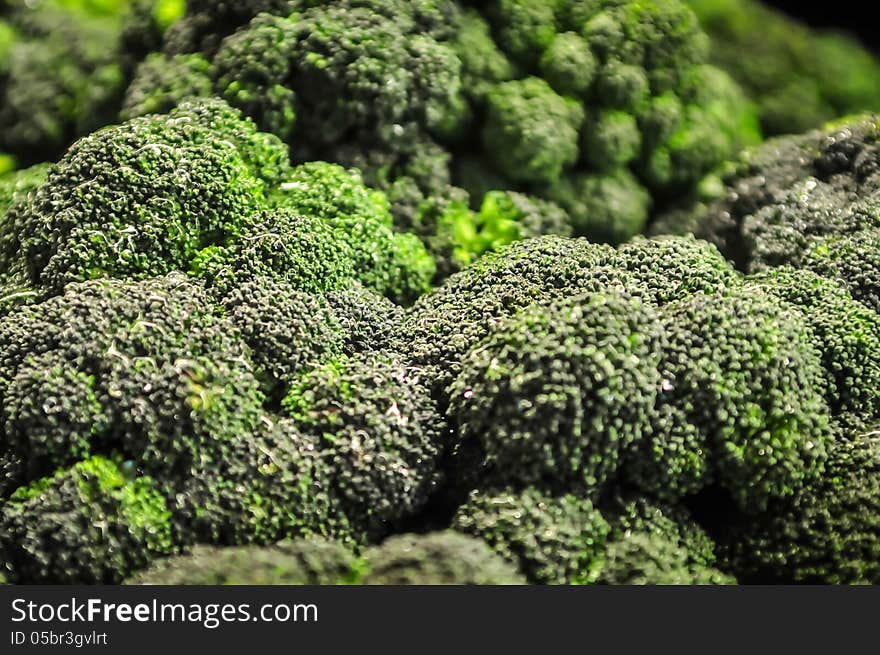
(798, 77)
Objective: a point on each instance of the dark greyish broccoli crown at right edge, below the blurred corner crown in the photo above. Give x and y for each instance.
(806, 201)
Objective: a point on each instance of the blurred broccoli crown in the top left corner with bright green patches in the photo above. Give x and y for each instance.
(61, 75)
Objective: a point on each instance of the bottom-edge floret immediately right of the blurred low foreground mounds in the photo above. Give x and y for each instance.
(551, 540)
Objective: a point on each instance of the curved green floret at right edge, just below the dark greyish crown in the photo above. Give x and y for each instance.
(846, 333)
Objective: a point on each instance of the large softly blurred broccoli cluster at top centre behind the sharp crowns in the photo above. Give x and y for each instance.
(587, 115)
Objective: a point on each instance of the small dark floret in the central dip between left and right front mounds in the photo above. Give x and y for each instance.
(369, 322)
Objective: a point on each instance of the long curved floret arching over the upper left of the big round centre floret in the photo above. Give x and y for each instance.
(443, 326)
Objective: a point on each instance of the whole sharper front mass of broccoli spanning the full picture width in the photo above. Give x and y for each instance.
(217, 365)
